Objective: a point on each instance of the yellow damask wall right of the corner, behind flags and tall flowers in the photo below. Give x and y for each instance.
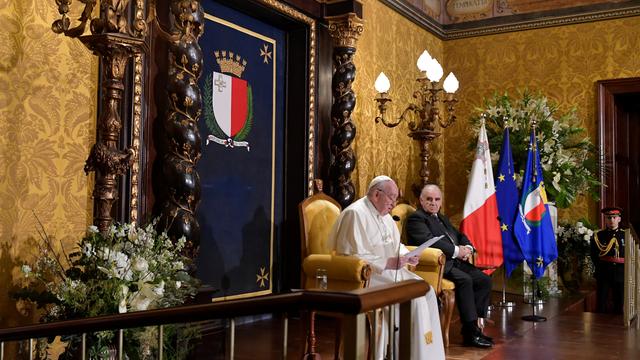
(562, 62)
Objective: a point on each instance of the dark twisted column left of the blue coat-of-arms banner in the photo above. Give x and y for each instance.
(181, 125)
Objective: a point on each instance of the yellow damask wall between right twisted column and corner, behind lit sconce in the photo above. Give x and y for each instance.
(392, 44)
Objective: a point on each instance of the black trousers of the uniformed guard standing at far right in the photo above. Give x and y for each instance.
(610, 276)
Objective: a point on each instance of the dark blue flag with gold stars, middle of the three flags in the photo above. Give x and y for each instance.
(507, 196)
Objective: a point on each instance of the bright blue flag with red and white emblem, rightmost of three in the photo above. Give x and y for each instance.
(533, 227)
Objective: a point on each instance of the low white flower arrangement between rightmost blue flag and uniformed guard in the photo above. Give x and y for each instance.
(574, 251)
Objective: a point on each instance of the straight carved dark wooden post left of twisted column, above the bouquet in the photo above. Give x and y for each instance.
(116, 36)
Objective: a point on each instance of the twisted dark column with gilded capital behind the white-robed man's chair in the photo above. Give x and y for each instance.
(344, 31)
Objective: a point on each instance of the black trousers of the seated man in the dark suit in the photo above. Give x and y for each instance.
(473, 290)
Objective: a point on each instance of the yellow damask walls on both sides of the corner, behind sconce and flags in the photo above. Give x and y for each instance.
(562, 62)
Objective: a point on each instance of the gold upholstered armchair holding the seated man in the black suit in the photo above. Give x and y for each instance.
(431, 269)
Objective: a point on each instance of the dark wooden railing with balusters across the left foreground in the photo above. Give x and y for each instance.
(353, 305)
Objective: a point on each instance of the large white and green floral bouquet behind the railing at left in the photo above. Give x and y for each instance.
(129, 268)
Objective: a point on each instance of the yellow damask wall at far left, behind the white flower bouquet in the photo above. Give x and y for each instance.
(47, 112)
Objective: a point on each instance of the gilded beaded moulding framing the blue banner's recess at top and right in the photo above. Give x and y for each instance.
(294, 14)
